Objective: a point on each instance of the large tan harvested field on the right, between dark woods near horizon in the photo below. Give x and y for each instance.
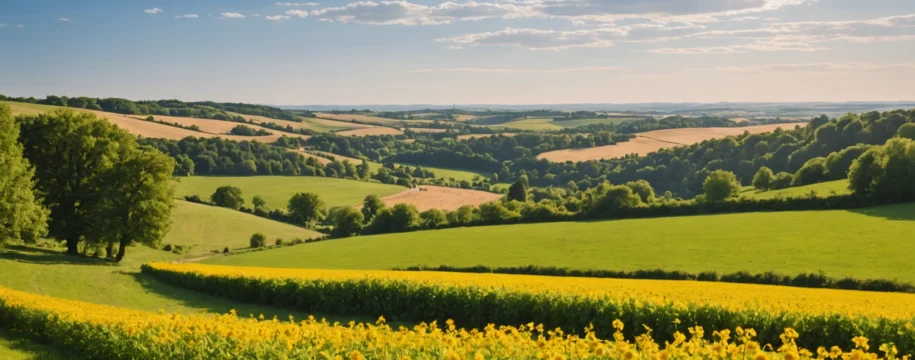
(652, 141)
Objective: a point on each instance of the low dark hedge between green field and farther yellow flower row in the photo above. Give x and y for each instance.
(820, 281)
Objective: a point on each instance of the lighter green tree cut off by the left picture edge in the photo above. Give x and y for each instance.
(21, 215)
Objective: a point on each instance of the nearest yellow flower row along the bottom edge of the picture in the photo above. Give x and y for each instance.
(106, 332)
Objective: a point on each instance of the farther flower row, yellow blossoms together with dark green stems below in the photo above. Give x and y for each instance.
(475, 300)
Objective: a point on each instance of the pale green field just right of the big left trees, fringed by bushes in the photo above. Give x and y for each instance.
(277, 190)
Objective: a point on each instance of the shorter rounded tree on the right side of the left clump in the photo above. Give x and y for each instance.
(137, 202)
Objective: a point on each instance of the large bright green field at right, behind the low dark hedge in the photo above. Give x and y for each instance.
(870, 243)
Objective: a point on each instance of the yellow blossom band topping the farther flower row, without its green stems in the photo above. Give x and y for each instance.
(684, 293)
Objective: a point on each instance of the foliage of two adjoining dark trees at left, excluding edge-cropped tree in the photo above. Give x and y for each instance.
(94, 178)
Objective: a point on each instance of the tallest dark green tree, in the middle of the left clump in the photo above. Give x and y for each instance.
(71, 152)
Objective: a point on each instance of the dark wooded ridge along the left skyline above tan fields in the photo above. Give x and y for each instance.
(202, 109)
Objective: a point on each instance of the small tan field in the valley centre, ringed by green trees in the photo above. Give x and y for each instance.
(438, 197)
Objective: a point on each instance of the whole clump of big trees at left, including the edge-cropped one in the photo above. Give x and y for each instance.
(82, 180)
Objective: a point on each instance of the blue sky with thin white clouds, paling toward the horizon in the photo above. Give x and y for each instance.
(465, 52)
